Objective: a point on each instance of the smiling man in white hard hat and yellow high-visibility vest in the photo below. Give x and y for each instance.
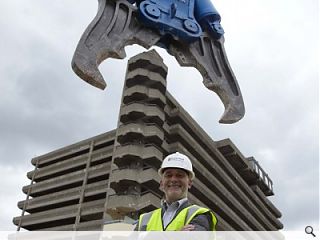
(176, 213)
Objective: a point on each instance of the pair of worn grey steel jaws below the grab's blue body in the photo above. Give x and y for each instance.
(116, 25)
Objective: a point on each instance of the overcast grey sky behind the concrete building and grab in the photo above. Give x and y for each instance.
(272, 46)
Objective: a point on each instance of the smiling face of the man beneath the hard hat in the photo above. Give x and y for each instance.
(175, 184)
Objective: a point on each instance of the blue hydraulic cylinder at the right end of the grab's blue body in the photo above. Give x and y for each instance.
(208, 18)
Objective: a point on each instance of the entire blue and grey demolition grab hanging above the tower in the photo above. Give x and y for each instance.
(189, 30)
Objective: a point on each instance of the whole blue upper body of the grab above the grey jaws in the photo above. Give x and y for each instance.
(182, 19)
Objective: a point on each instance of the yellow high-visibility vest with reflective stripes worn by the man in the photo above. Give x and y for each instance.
(152, 221)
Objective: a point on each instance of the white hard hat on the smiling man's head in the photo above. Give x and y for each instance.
(177, 160)
